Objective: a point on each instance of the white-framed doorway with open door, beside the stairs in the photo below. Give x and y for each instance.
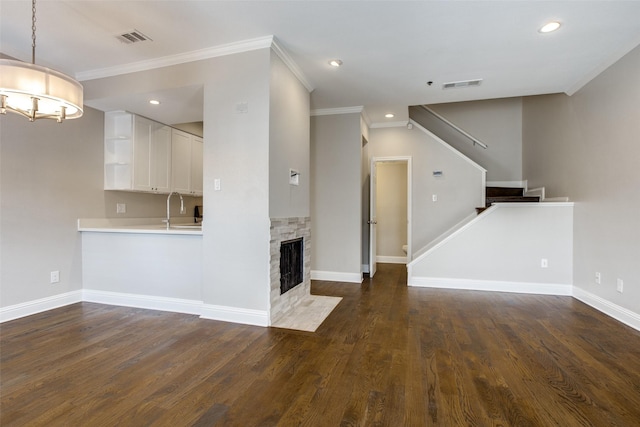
(389, 211)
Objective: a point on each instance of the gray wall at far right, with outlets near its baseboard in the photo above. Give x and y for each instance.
(587, 147)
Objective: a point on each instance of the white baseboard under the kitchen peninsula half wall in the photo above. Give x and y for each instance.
(175, 305)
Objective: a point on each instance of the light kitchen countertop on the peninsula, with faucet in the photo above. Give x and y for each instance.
(138, 226)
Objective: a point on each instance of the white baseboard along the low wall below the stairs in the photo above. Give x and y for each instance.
(492, 285)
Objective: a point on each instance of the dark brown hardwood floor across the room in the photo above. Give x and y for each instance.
(387, 356)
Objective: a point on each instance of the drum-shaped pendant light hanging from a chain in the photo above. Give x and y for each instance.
(38, 92)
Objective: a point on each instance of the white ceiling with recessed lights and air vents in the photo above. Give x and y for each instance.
(390, 49)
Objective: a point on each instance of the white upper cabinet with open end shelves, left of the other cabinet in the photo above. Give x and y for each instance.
(137, 153)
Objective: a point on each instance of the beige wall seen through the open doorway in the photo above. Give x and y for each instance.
(391, 208)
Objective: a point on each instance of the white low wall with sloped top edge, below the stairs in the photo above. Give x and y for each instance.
(505, 244)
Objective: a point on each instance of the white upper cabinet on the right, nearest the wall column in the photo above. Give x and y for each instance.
(186, 160)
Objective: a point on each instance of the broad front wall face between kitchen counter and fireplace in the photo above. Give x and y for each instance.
(236, 151)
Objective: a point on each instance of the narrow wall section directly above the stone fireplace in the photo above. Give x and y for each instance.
(289, 143)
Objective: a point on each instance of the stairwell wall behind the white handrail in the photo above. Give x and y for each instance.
(497, 123)
